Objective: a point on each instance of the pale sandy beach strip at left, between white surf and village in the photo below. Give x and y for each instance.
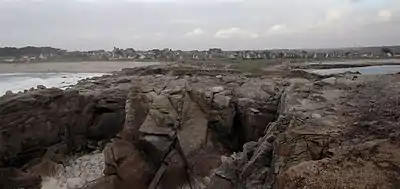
(69, 67)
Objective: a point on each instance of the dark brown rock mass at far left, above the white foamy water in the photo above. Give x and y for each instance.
(34, 121)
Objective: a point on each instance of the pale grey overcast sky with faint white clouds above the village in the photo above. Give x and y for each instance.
(199, 24)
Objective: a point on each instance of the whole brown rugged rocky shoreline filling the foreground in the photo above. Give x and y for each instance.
(177, 126)
